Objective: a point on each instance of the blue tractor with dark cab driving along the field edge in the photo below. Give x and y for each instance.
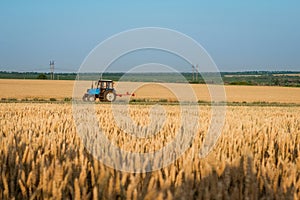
(104, 91)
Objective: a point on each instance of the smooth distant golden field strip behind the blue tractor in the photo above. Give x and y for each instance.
(60, 89)
